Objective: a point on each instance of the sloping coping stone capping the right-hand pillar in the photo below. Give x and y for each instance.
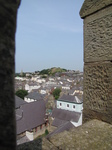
(91, 6)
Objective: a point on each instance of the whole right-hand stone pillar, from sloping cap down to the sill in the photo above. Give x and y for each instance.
(97, 60)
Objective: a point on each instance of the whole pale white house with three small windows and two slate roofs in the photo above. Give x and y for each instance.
(68, 109)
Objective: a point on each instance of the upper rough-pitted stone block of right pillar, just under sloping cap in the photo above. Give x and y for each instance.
(98, 36)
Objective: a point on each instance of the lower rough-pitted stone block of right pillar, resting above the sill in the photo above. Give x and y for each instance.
(98, 91)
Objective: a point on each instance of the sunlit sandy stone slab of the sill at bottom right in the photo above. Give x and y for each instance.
(93, 135)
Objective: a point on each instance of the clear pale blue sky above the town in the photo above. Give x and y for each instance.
(49, 34)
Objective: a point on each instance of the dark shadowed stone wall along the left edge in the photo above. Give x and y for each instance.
(8, 11)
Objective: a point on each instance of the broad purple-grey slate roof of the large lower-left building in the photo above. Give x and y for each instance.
(33, 115)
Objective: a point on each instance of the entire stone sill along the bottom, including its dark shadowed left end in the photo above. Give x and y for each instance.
(93, 135)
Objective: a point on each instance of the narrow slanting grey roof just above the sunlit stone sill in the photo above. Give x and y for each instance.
(66, 126)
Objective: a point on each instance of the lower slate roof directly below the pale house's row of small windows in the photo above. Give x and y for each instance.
(65, 115)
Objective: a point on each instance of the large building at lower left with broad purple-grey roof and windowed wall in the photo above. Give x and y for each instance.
(31, 120)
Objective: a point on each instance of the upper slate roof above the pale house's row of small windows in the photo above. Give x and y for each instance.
(70, 98)
